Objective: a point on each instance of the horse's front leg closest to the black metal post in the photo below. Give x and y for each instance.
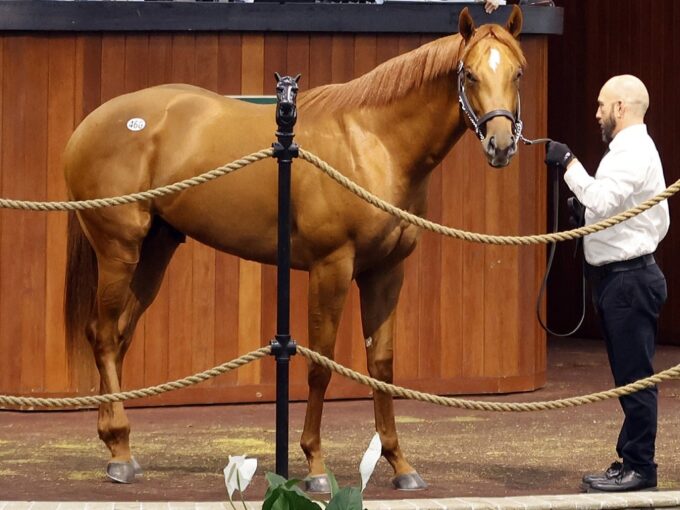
(329, 282)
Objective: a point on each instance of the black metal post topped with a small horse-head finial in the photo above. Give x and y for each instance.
(283, 346)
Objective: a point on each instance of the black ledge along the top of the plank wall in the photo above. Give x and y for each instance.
(390, 17)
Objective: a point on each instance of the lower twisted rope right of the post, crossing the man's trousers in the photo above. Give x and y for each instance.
(480, 405)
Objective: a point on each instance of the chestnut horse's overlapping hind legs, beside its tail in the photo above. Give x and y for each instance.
(131, 268)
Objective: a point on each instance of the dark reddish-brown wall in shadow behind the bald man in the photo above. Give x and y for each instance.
(601, 39)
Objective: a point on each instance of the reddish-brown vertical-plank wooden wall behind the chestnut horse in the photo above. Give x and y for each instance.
(466, 320)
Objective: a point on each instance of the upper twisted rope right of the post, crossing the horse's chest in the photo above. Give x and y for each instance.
(484, 238)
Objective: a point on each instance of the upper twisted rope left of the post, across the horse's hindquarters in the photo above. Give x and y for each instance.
(141, 196)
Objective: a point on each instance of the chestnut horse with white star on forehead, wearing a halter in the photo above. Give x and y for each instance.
(386, 130)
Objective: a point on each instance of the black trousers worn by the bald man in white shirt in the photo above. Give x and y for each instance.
(628, 304)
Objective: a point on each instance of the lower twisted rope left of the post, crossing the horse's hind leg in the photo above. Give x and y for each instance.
(133, 394)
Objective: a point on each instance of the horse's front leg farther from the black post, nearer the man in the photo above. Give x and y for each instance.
(379, 290)
